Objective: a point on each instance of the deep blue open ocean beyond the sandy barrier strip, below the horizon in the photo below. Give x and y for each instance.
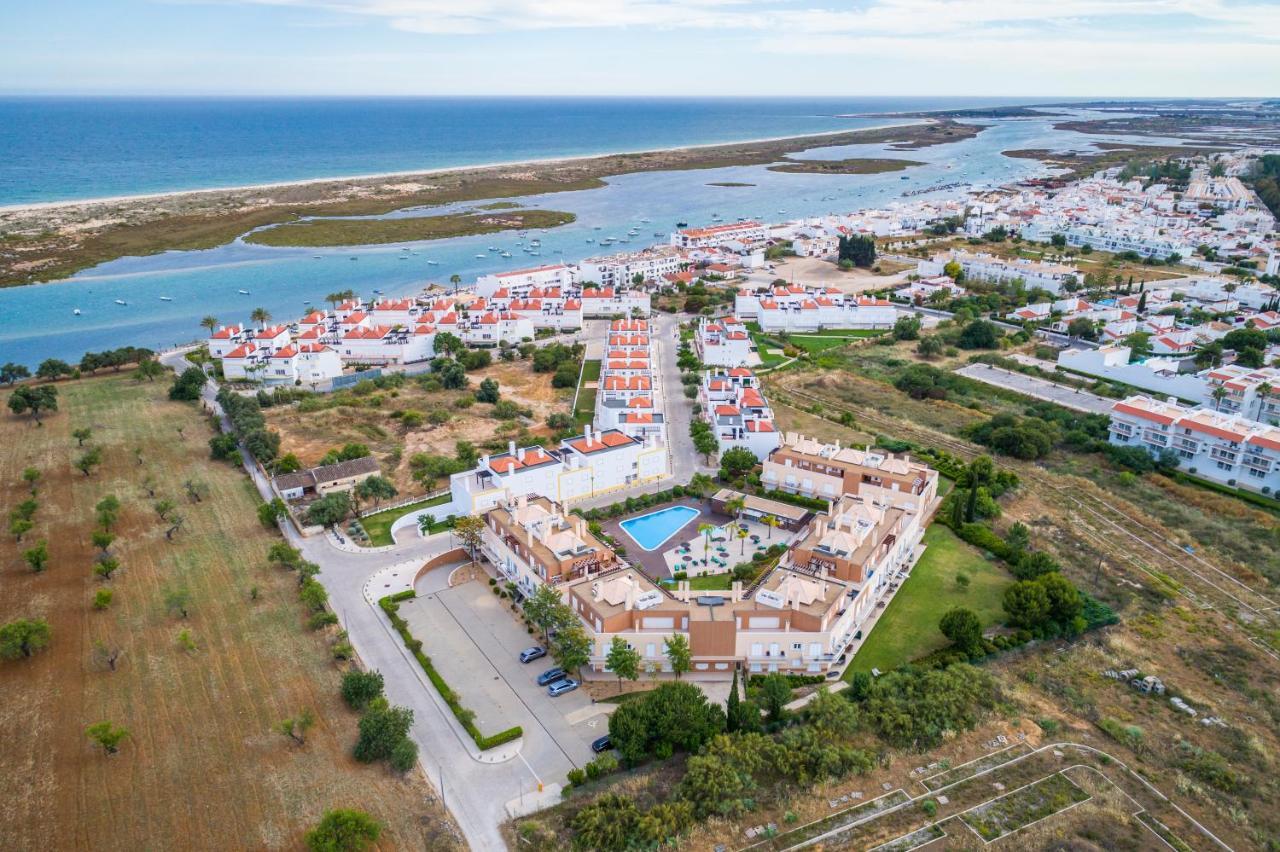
(65, 148)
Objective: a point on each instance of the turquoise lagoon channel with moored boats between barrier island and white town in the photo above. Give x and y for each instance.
(38, 322)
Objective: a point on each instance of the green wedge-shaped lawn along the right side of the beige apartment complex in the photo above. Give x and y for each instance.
(909, 629)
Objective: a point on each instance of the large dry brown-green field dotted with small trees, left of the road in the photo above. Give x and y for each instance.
(202, 768)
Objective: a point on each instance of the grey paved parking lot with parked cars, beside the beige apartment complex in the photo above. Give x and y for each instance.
(474, 643)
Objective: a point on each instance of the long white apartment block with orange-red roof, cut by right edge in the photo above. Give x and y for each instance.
(1227, 448)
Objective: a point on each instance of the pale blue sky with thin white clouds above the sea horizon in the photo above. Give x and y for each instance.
(726, 48)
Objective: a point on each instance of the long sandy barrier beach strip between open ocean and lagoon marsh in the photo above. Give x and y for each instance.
(53, 241)
